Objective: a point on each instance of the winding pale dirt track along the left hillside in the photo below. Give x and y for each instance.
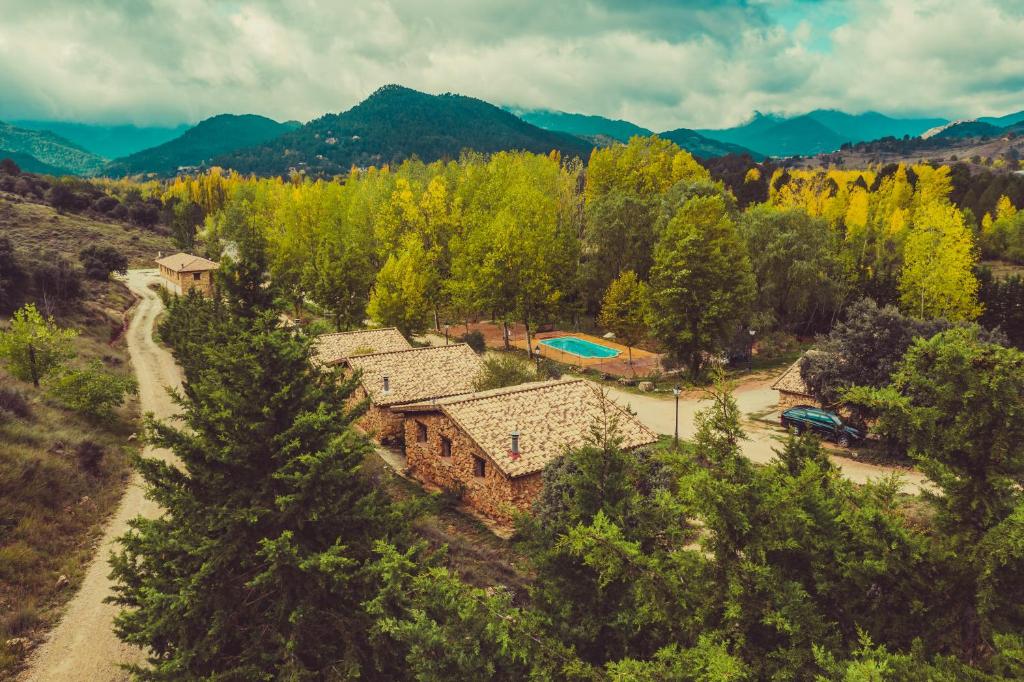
(83, 646)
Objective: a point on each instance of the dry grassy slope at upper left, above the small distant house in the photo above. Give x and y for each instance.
(32, 226)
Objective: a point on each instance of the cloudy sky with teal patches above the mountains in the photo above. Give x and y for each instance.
(663, 64)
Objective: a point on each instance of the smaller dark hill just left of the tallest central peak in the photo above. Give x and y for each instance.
(212, 138)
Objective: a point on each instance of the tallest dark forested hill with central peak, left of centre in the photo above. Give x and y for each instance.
(397, 123)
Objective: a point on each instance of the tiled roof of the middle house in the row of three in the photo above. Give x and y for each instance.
(418, 374)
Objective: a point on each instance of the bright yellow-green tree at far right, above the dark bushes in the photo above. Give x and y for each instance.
(937, 279)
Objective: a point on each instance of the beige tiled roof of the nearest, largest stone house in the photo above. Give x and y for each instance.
(550, 416)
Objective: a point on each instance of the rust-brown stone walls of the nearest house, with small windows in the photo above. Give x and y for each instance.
(494, 495)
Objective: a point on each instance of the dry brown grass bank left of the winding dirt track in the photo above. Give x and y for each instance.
(53, 505)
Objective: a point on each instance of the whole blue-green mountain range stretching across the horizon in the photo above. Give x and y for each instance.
(396, 123)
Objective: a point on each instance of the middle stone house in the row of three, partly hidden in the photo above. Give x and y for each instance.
(400, 377)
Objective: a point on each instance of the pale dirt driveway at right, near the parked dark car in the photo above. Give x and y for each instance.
(659, 415)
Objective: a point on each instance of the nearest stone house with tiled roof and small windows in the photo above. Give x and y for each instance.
(491, 448)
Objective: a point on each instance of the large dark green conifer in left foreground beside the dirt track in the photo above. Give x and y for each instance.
(258, 568)
